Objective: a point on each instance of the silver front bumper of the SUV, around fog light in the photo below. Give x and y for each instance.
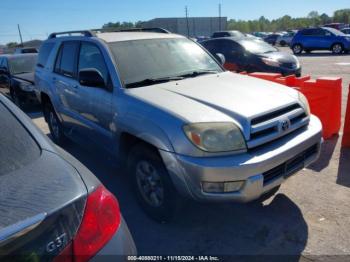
(188, 173)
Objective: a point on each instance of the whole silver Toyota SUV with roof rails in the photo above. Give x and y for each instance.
(181, 124)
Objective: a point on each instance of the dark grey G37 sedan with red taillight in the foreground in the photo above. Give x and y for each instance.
(52, 207)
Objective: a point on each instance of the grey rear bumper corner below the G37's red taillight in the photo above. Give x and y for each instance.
(119, 247)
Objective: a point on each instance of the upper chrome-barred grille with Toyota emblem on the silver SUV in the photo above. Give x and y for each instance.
(273, 125)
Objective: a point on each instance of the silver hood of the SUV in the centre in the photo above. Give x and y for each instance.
(219, 97)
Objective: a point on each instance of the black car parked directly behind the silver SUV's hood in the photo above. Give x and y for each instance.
(251, 55)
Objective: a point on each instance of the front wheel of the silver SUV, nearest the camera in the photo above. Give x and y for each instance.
(152, 184)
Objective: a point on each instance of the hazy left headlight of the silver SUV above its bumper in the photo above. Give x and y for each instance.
(215, 137)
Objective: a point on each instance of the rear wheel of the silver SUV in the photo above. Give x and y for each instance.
(55, 126)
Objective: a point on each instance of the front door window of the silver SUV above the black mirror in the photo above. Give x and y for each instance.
(90, 56)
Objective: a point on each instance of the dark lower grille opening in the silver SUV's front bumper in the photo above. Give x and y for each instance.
(291, 166)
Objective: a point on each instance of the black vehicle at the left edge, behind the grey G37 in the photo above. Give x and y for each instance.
(17, 75)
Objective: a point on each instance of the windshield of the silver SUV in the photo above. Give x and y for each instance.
(146, 61)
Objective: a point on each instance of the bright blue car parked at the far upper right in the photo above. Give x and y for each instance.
(322, 38)
